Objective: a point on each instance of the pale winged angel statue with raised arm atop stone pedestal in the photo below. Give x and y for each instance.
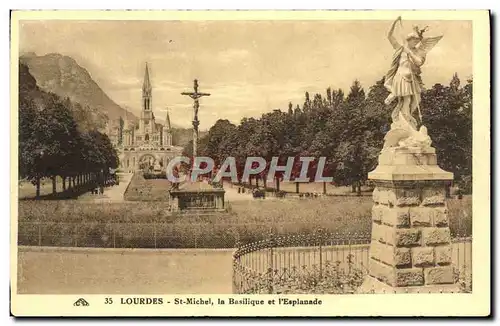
(405, 85)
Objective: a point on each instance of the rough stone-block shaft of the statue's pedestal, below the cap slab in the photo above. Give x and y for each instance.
(411, 243)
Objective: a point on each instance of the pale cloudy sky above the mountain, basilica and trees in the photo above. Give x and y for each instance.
(249, 67)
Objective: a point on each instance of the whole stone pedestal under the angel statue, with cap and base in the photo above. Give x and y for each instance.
(410, 249)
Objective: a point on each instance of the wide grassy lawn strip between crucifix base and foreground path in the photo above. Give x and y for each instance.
(150, 224)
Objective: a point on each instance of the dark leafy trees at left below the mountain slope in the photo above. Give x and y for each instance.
(52, 143)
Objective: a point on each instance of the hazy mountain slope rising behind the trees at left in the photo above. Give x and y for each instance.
(63, 76)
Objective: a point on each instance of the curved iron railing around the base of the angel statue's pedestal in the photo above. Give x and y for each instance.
(319, 263)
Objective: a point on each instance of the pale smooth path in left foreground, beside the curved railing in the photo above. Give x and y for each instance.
(124, 271)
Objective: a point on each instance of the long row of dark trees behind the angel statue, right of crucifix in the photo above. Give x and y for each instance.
(348, 130)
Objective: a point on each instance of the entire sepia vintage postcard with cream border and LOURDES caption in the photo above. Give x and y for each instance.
(250, 163)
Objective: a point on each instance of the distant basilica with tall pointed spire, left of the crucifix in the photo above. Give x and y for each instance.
(146, 143)
